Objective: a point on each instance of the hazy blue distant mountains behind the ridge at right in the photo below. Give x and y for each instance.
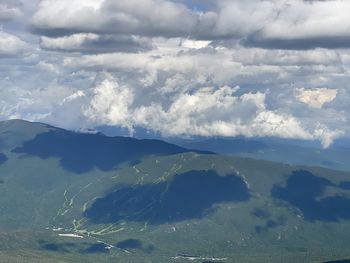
(277, 150)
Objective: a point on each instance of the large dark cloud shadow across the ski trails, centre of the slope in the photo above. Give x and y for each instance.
(186, 196)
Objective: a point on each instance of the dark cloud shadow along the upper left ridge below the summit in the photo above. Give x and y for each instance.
(81, 152)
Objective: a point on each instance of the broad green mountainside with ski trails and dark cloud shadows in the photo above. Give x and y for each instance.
(69, 197)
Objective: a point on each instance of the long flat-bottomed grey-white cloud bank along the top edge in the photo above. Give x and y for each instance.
(286, 24)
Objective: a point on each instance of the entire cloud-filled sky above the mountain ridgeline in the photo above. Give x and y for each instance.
(179, 68)
